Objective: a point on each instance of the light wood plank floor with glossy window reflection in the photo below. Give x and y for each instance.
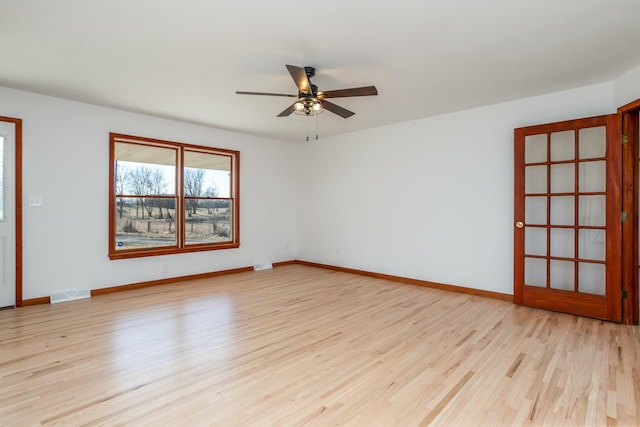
(306, 346)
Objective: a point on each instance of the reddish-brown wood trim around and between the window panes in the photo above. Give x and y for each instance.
(181, 246)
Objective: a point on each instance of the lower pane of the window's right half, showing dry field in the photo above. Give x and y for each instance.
(208, 221)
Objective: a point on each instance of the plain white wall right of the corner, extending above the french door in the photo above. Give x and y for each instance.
(430, 199)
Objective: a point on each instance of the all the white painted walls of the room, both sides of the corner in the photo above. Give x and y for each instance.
(430, 199)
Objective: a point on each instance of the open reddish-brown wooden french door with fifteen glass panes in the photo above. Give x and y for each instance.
(568, 217)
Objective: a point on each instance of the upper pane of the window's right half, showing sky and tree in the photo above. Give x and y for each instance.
(207, 175)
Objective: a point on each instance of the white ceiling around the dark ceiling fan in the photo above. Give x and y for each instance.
(185, 59)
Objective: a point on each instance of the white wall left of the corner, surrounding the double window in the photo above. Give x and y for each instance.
(65, 160)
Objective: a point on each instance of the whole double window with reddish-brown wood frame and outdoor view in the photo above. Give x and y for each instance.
(168, 197)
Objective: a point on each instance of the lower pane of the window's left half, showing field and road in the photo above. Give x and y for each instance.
(144, 222)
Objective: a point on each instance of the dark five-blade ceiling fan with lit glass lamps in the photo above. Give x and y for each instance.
(311, 101)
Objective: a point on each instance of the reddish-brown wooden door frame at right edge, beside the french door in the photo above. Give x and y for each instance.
(628, 115)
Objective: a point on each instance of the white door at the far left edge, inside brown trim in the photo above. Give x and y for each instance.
(7, 215)
